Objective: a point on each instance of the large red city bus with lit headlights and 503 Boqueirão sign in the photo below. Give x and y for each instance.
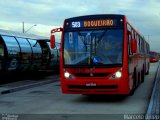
(101, 54)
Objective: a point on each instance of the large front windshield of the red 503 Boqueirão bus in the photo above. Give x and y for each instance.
(93, 47)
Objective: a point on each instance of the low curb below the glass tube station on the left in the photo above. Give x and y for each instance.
(15, 89)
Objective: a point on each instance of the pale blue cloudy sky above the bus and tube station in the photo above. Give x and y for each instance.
(47, 14)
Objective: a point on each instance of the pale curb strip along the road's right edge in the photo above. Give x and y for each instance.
(151, 106)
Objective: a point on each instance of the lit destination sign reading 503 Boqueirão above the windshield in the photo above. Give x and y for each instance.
(92, 23)
